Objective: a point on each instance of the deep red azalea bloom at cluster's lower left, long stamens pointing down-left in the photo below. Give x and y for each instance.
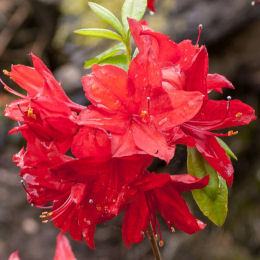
(81, 192)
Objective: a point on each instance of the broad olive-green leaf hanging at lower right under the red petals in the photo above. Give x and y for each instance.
(213, 199)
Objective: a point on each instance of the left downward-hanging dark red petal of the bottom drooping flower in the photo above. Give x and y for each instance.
(136, 220)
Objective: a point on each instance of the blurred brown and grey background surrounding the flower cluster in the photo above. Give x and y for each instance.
(232, 35)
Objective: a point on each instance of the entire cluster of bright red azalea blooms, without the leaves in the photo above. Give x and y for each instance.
(85, 165)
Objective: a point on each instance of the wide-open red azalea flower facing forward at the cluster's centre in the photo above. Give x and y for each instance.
(135, 108)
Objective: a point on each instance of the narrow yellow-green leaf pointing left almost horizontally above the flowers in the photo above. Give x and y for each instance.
(97, 32)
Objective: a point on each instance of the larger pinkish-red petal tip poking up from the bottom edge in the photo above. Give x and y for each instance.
(63, 249)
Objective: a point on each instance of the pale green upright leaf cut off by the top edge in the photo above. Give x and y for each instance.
(133, 9)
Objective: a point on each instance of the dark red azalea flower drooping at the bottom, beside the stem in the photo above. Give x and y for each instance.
(162, 193)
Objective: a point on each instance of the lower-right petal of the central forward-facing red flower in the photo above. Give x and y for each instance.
(151, 141)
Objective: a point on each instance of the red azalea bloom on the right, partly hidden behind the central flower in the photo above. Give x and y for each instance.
(185, 67)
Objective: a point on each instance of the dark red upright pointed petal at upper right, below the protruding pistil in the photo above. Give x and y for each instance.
(197, 73)
